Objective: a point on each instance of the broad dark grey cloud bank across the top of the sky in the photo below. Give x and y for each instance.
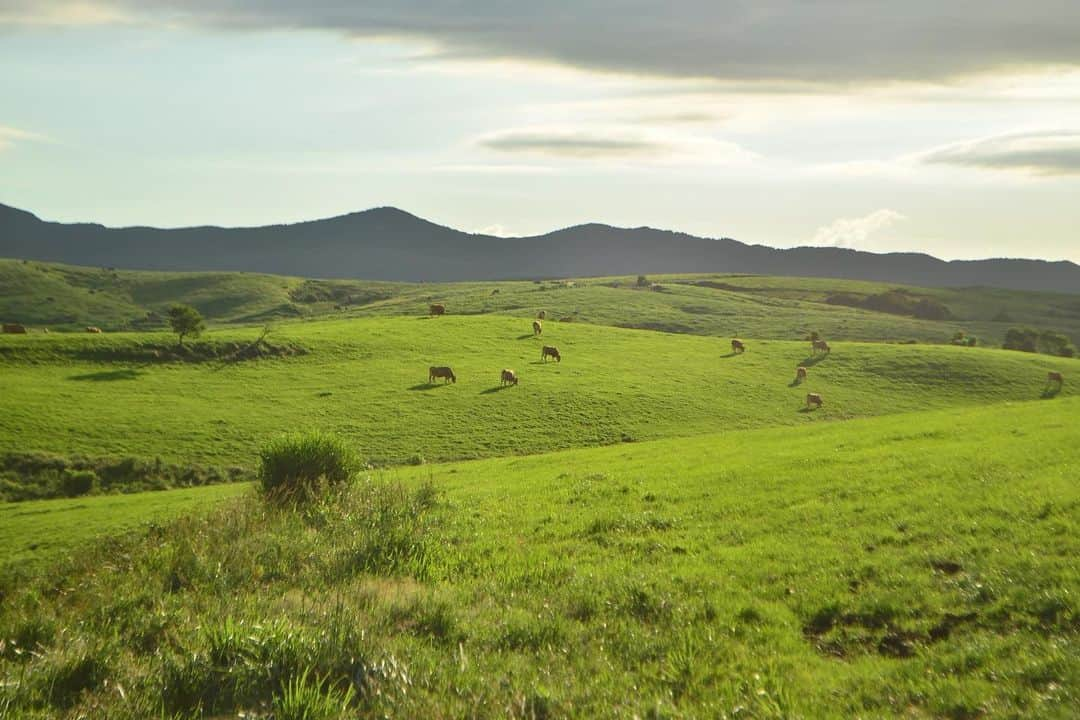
(765, 42)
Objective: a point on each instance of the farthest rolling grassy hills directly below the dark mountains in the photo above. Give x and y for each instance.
(66, 297)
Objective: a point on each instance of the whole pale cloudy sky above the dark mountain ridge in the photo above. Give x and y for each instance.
(946, 127)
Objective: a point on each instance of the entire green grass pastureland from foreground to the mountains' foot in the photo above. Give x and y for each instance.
(653, 528)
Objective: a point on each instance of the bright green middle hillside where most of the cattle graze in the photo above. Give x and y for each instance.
(368, 381)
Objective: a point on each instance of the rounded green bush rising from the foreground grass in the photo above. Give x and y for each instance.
(296, 468)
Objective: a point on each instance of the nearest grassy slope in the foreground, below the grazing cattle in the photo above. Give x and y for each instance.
(913, 566)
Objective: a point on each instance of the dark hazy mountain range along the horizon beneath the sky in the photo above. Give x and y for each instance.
(387, 243)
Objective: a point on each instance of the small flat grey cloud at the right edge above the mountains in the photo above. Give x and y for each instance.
(1046, 153)
